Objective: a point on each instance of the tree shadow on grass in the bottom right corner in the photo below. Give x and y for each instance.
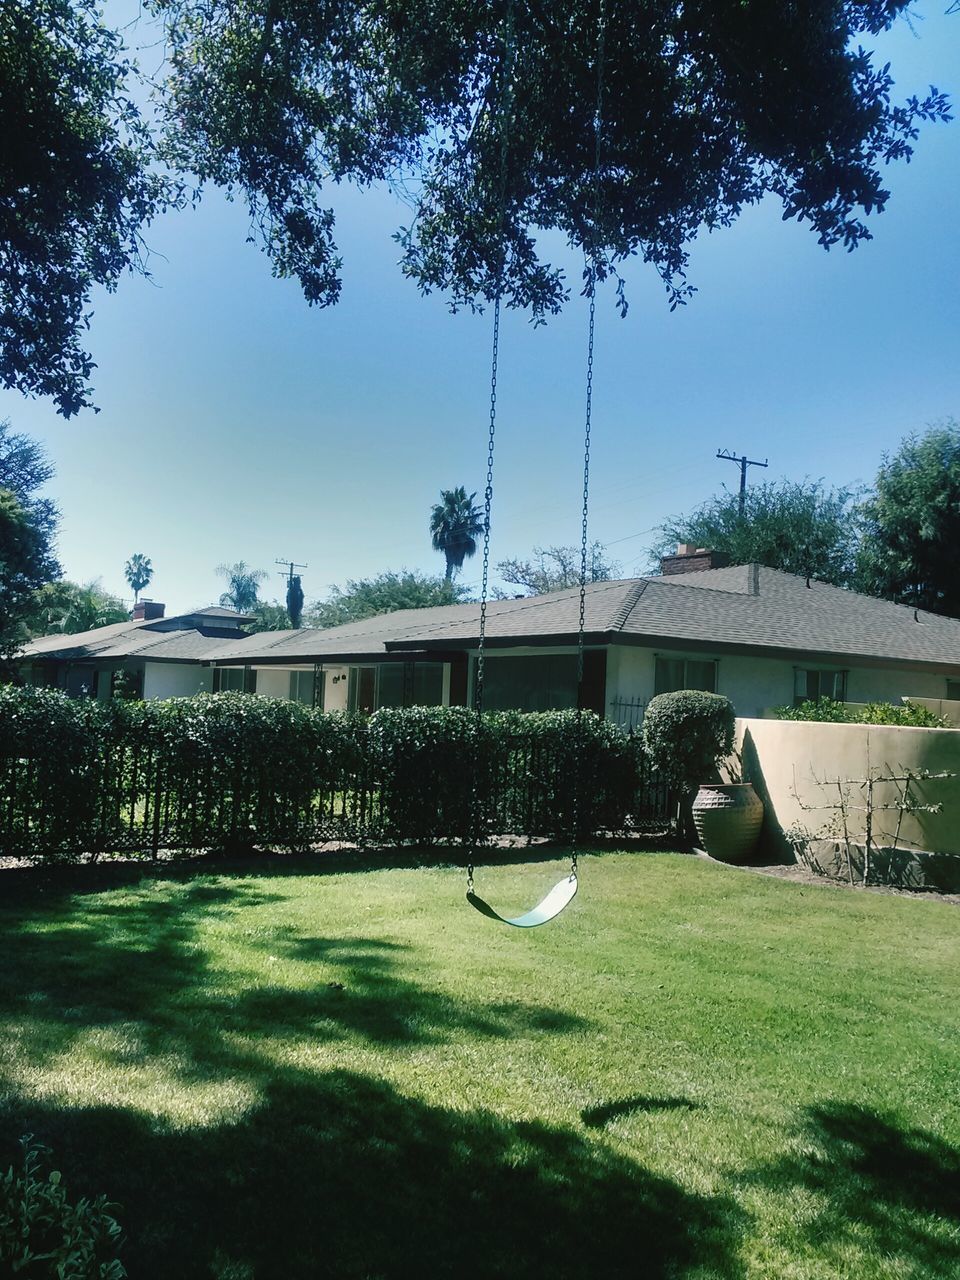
(884, 1190)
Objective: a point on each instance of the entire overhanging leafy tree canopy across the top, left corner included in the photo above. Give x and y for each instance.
(483, 116)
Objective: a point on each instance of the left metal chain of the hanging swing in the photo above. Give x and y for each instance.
(506, 107)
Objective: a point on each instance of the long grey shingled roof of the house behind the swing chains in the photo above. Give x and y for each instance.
(747, 609)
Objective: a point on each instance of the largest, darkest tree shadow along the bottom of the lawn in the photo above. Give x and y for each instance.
(340, 1176)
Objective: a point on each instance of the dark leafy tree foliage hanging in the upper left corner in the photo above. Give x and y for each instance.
(77, 189)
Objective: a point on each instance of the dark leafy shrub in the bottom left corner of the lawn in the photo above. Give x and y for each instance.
(44, 1235)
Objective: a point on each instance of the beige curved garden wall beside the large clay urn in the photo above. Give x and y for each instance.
(796, 766)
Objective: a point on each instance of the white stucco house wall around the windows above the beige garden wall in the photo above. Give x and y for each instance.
(757, 684)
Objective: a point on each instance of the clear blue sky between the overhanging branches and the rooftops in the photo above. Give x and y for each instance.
(239, 424)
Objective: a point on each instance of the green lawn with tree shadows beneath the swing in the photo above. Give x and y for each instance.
(694, 1072)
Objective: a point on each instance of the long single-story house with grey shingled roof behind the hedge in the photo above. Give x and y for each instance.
(761, 637)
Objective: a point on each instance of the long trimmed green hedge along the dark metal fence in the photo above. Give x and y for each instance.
(230, 772)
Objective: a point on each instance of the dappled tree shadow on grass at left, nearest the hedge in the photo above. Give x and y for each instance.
(140, 964)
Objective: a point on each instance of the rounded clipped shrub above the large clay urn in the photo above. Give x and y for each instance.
(687, 734)
